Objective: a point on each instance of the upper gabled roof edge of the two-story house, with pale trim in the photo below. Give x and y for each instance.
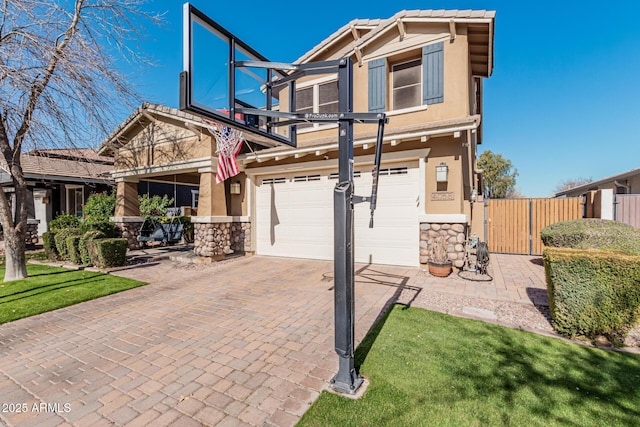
(480, 32)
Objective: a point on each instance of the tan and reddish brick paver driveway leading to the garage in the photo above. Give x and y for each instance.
(245, 342)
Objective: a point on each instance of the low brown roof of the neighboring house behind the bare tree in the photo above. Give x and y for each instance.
(55, 169)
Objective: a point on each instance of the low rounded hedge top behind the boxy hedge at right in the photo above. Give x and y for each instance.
(592, 234)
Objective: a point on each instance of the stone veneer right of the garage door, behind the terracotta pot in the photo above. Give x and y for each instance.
(456, 238)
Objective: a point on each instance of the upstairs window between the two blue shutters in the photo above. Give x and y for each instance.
(407, 84)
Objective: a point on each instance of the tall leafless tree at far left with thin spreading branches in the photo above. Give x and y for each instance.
(60, 85)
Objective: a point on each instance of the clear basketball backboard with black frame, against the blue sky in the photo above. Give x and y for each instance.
(215, 84)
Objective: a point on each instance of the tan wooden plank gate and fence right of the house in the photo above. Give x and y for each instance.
(514, 225)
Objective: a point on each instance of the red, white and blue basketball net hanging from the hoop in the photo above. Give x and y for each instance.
(228, 144)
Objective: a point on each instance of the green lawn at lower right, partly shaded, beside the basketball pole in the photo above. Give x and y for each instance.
(431, 369)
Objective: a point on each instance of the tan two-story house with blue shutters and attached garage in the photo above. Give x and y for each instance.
(423, 68)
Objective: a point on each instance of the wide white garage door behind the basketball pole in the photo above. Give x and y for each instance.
(294, 216)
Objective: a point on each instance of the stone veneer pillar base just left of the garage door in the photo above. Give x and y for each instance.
(217, 239)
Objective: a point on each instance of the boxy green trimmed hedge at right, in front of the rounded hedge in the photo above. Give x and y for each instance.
(593, 292)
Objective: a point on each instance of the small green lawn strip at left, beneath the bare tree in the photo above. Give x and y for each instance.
(50, 288)
